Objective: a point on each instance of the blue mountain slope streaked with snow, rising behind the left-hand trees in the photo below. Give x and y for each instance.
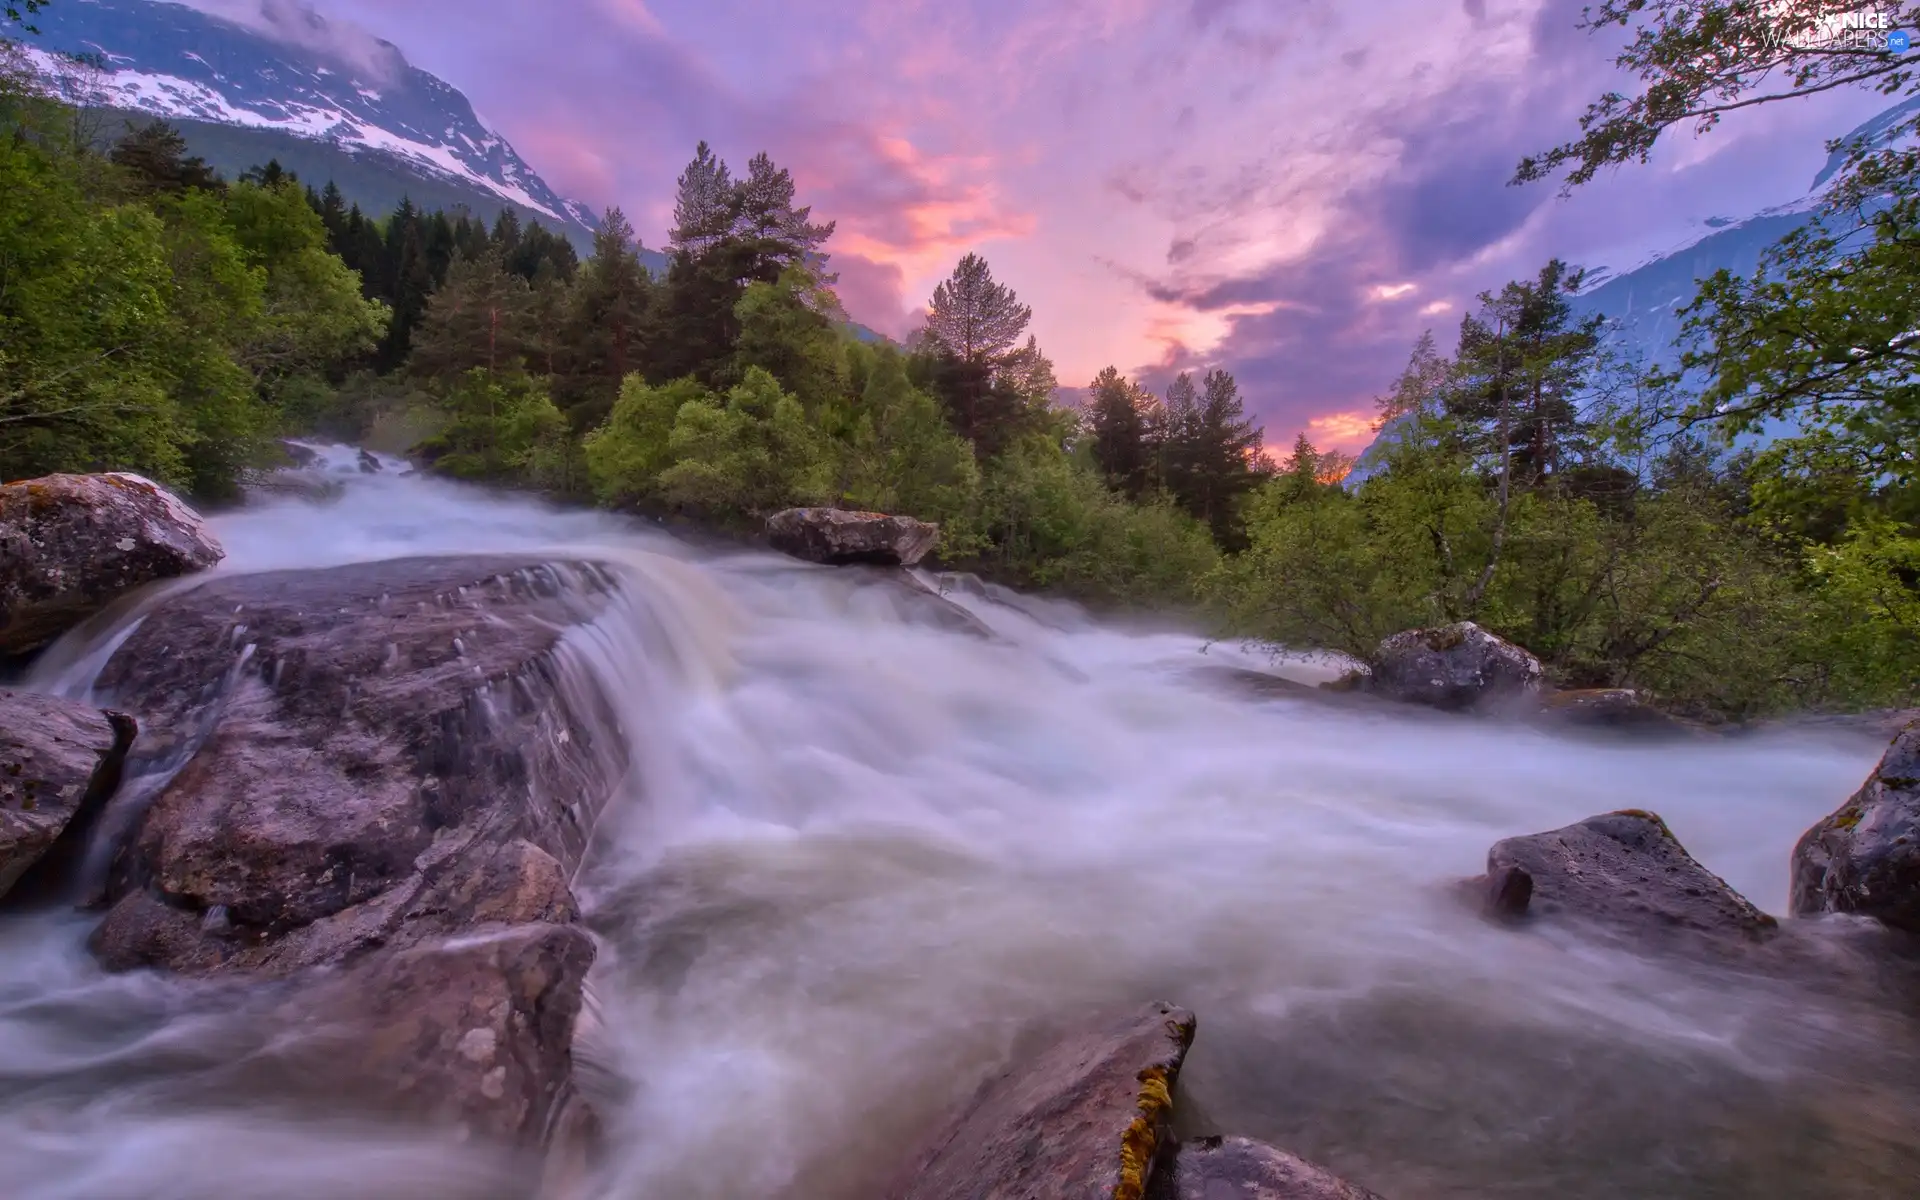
(381, 124)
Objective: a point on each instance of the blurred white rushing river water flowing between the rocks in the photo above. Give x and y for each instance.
(867, 852)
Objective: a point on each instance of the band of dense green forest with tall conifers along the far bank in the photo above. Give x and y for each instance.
(156, 318)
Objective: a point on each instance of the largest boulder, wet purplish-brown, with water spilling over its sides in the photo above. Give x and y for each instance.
(373, 773)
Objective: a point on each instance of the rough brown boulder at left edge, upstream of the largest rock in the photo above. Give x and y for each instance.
(72, 544)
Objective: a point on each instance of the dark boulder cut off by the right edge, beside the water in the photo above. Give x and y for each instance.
(1865, 857)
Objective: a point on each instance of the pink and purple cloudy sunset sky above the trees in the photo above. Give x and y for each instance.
(1289, 189)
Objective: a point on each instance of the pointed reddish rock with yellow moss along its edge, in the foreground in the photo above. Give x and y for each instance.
(1084, 1118)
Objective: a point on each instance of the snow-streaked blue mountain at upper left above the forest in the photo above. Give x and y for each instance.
(293, 78)
